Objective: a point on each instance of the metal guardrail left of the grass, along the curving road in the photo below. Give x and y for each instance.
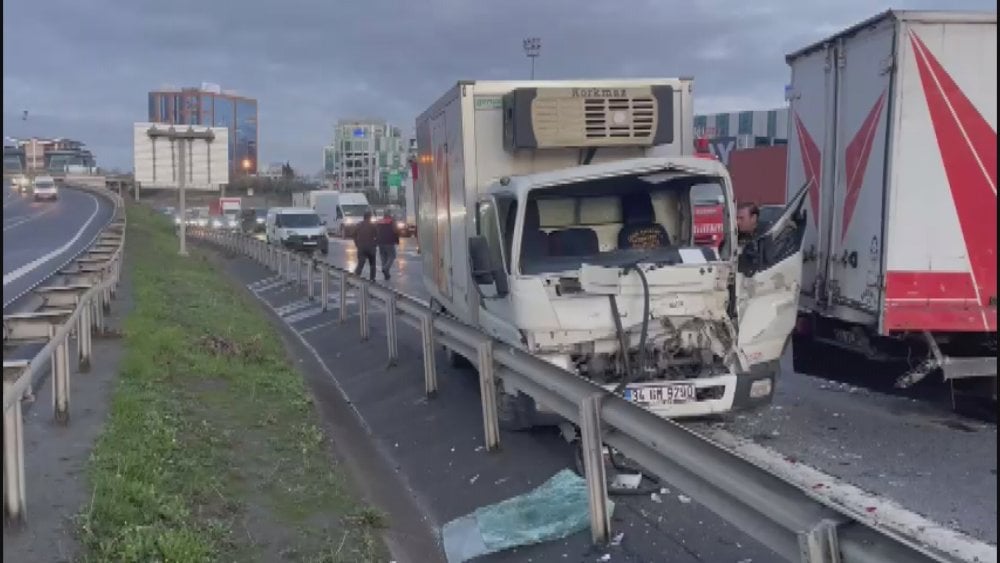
(75, 309)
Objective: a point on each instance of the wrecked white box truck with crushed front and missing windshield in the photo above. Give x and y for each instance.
(559, 218)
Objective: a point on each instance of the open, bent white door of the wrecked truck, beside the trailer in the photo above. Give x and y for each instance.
(768, 279)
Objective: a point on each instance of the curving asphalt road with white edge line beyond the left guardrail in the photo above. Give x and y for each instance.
(40, 237)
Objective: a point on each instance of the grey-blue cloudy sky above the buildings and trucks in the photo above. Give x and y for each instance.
(82, 68)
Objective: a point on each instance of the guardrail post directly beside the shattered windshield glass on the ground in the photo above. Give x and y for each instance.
(592, 447)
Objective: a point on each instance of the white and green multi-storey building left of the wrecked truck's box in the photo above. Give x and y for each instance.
(366, 155)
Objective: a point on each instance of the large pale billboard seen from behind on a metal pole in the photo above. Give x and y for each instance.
(165, 154)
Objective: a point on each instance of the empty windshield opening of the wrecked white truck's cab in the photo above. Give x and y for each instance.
(615, 221)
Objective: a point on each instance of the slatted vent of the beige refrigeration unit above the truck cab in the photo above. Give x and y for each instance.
(636, 117)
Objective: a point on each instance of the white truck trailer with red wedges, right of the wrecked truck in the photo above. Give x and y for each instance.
(893, 122)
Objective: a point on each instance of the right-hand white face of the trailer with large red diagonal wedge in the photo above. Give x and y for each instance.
(941, 261)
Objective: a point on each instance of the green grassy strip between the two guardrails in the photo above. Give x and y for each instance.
(212, 451)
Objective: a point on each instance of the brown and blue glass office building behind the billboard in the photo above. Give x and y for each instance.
(211, 106)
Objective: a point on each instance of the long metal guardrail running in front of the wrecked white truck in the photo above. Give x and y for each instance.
(786, 517)
